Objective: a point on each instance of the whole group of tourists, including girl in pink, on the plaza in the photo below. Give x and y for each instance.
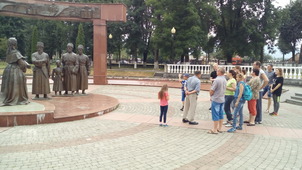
(229, 92)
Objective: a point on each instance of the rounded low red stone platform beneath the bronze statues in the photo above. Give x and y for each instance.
(58, 109)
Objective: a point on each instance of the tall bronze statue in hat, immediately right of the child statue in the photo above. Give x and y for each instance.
(70, 69)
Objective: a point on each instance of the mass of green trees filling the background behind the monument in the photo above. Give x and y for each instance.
(229, 27)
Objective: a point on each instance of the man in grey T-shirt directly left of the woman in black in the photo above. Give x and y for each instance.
(267, 89)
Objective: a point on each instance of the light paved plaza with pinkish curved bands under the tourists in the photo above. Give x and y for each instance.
(130, 138)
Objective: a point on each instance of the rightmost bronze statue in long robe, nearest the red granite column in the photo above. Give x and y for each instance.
(84, 70)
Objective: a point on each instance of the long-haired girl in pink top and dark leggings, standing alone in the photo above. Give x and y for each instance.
(163, 96)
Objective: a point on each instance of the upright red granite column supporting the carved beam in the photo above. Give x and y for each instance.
(100, 52)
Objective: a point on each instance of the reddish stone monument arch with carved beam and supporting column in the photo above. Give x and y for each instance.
(96, 13)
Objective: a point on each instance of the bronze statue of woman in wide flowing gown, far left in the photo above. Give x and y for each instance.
(13, 88)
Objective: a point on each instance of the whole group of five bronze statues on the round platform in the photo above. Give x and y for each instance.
(73, 76)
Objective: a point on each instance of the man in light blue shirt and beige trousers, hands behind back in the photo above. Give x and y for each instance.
(192, 91)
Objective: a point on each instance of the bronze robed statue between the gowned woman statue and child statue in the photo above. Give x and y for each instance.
(41, 72)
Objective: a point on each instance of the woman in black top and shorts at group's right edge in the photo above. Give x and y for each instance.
(276, 89)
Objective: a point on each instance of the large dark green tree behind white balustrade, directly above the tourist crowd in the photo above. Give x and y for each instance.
(246, 27)
